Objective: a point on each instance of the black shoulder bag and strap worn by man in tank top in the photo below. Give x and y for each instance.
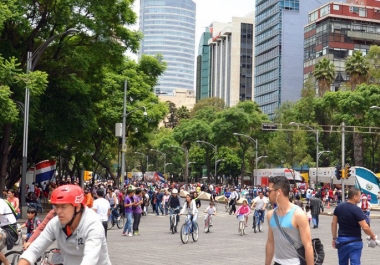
(318, 251)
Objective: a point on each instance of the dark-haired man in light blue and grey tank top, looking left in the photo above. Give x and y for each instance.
(293, 222)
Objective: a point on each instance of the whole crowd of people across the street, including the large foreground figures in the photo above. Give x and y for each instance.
(289, 210)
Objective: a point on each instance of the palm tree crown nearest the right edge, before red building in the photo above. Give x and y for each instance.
(357, 67)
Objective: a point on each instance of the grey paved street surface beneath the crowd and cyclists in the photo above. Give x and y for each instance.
(156, 245)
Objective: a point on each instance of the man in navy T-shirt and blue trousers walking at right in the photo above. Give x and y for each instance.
(348, 239)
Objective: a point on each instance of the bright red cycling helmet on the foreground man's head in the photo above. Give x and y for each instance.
(72, 194)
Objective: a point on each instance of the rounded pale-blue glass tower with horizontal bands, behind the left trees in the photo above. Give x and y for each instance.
(169, 29)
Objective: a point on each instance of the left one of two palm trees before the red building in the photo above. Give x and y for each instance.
(324, 73)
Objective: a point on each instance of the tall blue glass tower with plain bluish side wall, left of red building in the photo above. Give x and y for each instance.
(279, 50)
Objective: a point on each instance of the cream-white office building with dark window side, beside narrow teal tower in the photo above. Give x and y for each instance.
(231, 56)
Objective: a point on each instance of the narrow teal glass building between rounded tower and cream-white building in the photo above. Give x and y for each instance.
(203, 66)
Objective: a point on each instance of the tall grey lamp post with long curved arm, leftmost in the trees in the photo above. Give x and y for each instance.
(32, 59)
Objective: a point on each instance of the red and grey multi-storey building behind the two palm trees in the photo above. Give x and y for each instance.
(335, 30)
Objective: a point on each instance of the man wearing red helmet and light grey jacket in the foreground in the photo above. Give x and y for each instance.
(77, 229)
